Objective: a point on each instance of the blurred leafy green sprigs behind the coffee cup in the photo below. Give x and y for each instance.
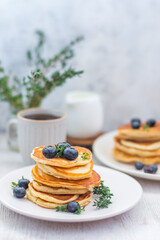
(47, 75)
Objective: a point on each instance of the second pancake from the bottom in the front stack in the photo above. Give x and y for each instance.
(60, 199)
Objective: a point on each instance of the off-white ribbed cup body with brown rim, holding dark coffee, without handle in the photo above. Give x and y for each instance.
(33, 133)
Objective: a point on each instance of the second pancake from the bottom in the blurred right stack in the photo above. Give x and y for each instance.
(134, 151)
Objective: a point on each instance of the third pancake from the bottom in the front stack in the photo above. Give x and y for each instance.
(43, 188)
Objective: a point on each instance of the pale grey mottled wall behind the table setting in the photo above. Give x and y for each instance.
(120, 53)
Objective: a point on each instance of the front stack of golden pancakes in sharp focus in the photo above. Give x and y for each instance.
(58, 181)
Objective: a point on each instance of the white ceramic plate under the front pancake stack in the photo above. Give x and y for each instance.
(119, 184)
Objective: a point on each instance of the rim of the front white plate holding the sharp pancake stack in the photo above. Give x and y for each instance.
(89, 219)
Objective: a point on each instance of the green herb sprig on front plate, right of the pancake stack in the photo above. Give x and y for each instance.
(104, 196)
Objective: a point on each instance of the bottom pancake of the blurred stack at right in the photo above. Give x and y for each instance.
(126, 158)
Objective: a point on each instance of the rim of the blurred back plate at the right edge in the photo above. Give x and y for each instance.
(134, 173)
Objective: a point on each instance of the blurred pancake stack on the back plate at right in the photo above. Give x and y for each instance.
(138, 145)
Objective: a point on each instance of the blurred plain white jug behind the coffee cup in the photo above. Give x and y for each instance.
(84, 114)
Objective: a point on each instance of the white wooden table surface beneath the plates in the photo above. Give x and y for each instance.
(142, 222)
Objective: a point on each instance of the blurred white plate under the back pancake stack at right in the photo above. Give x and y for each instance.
(103, 147)
